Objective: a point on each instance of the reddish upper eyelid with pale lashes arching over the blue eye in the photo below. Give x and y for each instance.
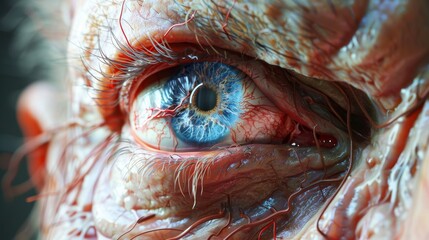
(124, 74)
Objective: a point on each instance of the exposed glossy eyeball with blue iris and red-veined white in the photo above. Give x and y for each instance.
(202, 105)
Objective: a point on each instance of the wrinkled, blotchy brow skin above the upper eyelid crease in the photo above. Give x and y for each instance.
(349, 41)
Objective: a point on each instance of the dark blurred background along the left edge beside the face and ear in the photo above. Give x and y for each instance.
(13, 78)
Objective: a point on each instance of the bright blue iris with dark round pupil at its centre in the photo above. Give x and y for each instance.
(212, 93)
